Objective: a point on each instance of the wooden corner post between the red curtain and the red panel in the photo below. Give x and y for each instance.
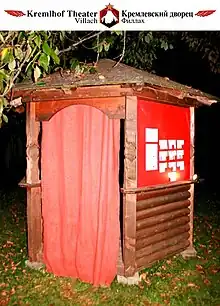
(130, 181)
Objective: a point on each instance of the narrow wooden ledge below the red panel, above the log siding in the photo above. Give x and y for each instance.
(157, 187)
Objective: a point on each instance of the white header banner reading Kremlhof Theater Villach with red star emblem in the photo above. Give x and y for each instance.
(115, 16)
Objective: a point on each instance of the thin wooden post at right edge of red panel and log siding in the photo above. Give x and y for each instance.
(190, 251)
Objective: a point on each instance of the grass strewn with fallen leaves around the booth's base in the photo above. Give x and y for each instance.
(170, 282)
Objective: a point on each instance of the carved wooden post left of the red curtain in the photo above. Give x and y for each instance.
(34, 222)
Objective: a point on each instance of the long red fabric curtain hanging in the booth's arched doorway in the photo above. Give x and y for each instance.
(80, 194)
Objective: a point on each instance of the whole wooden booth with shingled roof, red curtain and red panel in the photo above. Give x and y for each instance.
(84, 135)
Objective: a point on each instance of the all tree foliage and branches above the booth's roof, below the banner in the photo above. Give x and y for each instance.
(32, 54)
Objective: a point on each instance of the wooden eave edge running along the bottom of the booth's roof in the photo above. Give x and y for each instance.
(146, 91)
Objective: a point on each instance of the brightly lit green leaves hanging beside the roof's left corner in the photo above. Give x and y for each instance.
(21, 55)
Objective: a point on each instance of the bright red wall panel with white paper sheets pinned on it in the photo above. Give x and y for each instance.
(163, 143)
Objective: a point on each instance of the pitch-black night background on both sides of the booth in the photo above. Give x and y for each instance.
(178, 64)
